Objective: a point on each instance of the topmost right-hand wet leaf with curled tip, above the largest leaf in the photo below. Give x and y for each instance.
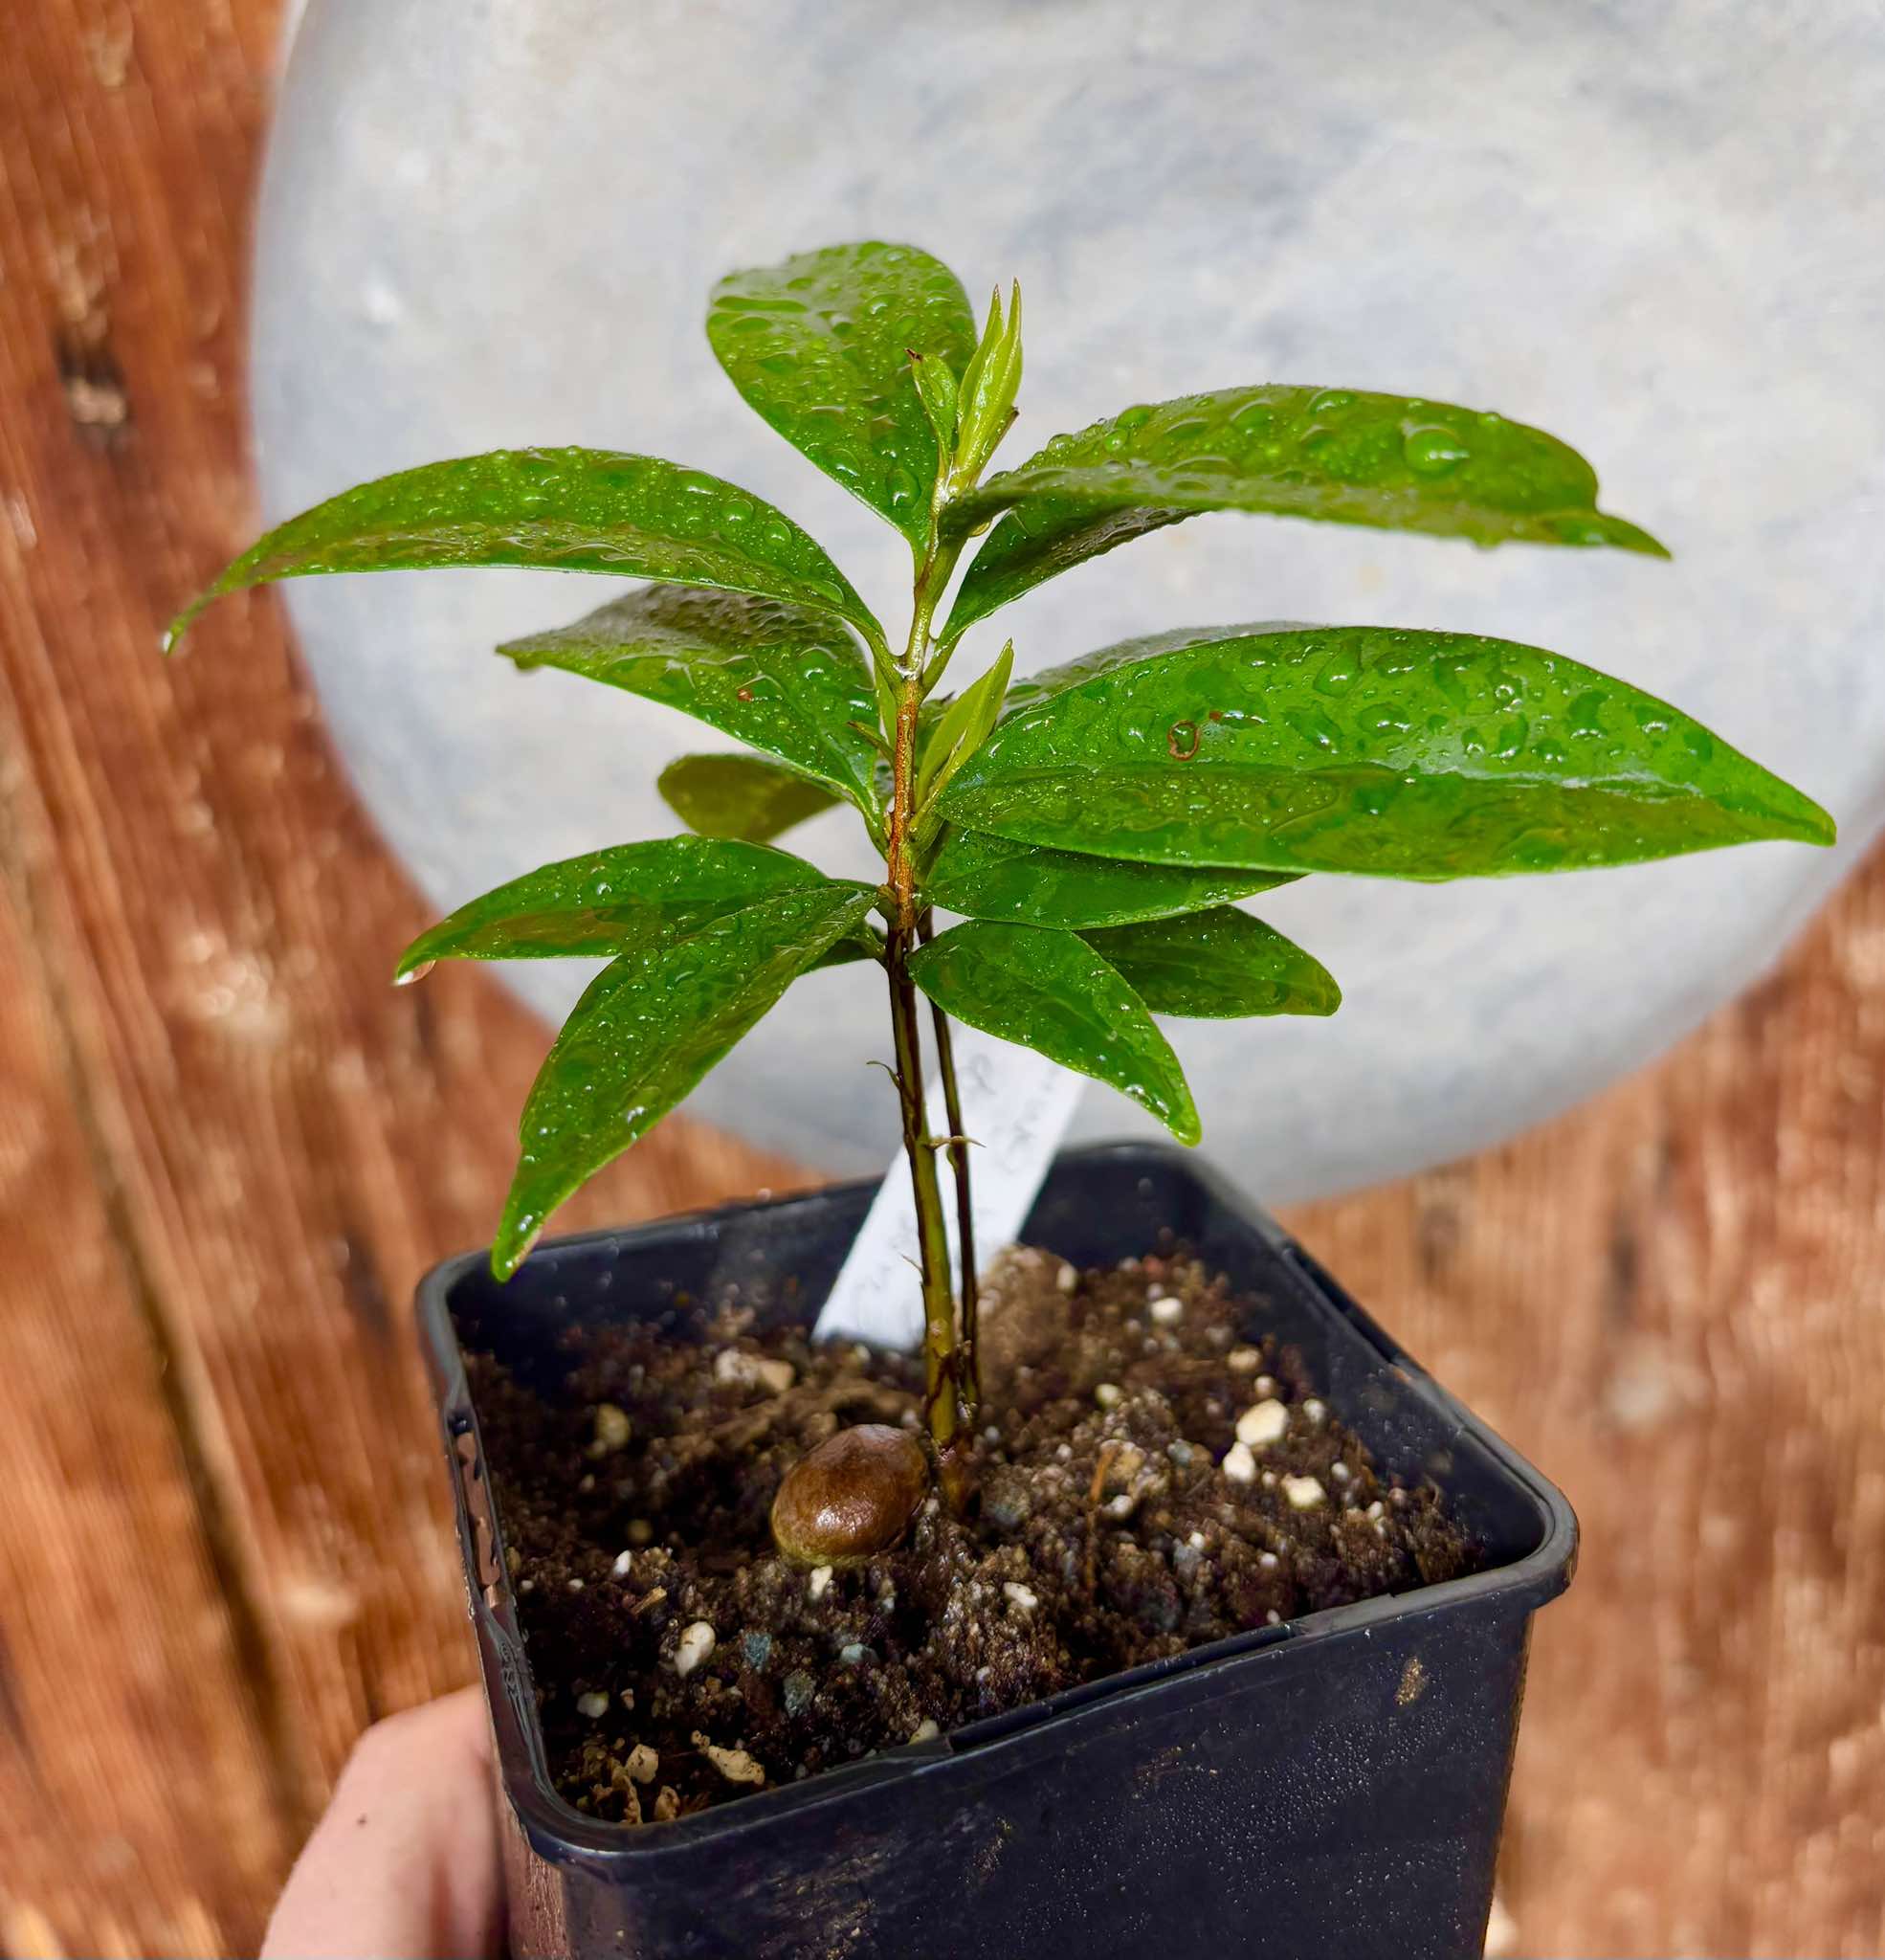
(1375, 460)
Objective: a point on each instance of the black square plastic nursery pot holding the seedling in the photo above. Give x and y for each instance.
(1329, 1787)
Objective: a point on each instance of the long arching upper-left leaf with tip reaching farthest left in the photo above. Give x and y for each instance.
(565, 511)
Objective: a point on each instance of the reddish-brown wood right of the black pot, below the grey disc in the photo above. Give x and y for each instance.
(1672, 1304)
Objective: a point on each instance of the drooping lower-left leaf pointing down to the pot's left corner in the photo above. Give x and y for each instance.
(648, 1030)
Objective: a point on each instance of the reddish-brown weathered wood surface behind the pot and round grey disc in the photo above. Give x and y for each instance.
(228, 1150)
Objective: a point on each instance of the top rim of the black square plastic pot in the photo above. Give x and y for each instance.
(557, 1830)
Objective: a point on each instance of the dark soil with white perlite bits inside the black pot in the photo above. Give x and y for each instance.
(681, 1663)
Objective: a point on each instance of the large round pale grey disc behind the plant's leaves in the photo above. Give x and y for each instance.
(489, 224)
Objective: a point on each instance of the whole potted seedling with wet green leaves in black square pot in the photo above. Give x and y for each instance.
(1161, 1598)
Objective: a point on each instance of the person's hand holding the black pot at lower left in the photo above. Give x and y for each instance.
(405, 1863)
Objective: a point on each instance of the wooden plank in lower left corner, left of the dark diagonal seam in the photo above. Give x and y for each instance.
(119, 1620)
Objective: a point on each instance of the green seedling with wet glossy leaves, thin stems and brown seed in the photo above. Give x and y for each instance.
(1094, 828)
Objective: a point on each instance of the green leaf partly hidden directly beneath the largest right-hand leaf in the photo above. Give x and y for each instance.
(1030, 885)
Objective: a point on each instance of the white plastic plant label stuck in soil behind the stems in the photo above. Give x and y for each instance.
(1016, 1106)
